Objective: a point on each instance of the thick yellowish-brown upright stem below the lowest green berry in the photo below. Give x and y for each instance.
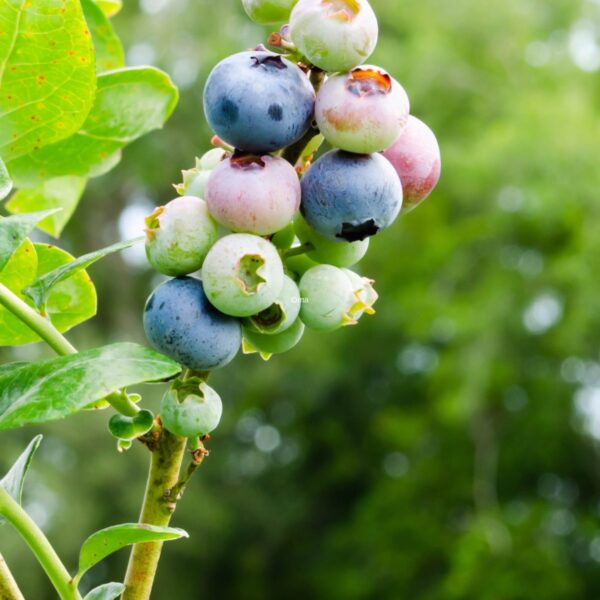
(157, 509)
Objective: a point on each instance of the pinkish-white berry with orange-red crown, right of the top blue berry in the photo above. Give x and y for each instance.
(362, 111)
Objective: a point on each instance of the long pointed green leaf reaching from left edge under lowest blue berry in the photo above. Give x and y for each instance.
(54, 389)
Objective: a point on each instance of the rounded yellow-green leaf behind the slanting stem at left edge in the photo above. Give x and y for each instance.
(70, 303)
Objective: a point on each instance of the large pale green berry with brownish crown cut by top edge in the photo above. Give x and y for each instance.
(335, 35)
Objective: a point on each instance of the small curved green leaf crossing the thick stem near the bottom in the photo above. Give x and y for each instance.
(106, 541)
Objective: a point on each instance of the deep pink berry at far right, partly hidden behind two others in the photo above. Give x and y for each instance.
(416, 158)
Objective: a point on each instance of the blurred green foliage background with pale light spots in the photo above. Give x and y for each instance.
(446, 448)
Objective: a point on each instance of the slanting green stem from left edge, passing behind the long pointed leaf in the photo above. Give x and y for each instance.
(58, 342)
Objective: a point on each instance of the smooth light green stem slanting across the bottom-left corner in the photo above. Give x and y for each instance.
(39, 545)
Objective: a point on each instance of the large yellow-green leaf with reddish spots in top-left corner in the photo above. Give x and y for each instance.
(47, 74)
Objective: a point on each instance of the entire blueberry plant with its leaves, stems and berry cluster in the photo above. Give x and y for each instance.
(271, 223)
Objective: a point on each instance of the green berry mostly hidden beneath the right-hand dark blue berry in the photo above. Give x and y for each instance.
(338, 253)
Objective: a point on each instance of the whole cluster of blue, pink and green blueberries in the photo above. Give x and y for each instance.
(273, 233)
